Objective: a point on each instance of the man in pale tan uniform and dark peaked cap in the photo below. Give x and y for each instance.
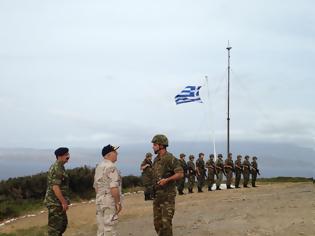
(107, 185)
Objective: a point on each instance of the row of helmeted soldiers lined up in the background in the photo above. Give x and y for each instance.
(205, 172)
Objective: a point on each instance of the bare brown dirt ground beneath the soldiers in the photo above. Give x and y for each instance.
(281, 209)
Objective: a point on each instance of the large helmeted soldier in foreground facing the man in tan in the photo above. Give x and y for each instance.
(166, 171)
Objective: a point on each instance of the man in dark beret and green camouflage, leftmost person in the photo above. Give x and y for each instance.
(57, 194)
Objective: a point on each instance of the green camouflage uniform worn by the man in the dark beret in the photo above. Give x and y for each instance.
(57, 217)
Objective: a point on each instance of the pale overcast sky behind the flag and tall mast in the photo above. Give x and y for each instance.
(88, 73)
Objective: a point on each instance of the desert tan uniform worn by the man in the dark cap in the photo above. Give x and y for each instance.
(106, 177)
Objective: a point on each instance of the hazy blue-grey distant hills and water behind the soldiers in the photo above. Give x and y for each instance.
(275, 159)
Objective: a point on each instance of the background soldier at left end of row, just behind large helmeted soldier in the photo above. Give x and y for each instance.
(147, 178)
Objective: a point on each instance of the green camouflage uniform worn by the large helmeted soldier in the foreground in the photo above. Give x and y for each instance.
(164, 201)
